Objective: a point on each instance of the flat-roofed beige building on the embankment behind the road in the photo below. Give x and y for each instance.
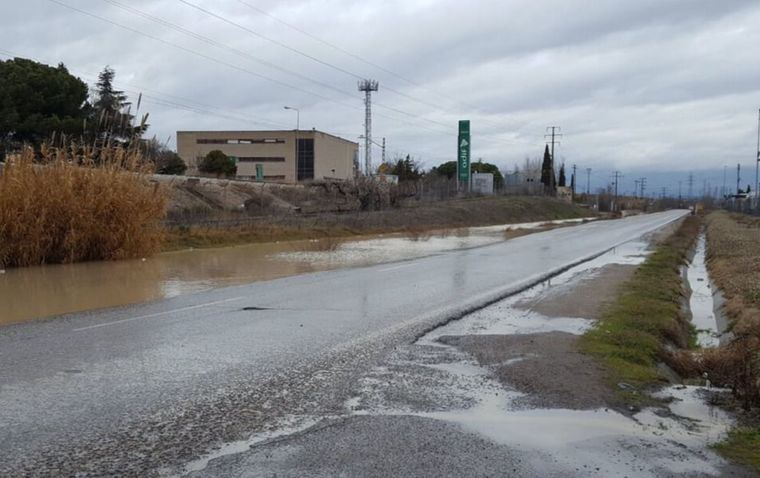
(273, 155)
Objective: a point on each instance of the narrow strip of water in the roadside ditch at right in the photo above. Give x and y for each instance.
(701, 300)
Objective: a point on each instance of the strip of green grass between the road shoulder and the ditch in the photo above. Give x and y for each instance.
(630, 337)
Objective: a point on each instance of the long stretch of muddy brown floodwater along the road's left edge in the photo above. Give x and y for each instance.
(38, 292)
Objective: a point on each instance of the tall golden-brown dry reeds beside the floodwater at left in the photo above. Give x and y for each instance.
(60, 206)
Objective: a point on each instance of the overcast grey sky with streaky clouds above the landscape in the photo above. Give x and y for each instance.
(635, 85)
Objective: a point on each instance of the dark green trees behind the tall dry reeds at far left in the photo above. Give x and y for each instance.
(45, 104)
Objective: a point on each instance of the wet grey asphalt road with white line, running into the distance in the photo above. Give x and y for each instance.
(145, 388)
